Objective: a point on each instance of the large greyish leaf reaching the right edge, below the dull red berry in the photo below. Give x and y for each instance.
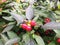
(52, 25)
